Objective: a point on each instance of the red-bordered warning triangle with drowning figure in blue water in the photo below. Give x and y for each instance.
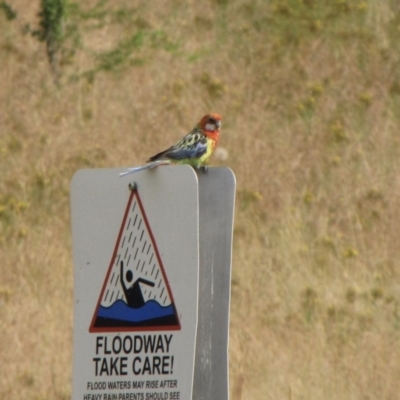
(136, 295)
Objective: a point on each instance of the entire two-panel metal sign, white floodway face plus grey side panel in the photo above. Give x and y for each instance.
(152, 257)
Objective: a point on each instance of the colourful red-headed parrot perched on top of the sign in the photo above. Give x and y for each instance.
(193, 149)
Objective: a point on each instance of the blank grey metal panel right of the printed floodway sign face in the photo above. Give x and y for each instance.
(216, 209)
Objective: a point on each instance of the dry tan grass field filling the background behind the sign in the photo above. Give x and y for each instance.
(309, 92)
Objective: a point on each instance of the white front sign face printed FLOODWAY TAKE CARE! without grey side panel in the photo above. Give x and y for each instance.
(136, 257)
